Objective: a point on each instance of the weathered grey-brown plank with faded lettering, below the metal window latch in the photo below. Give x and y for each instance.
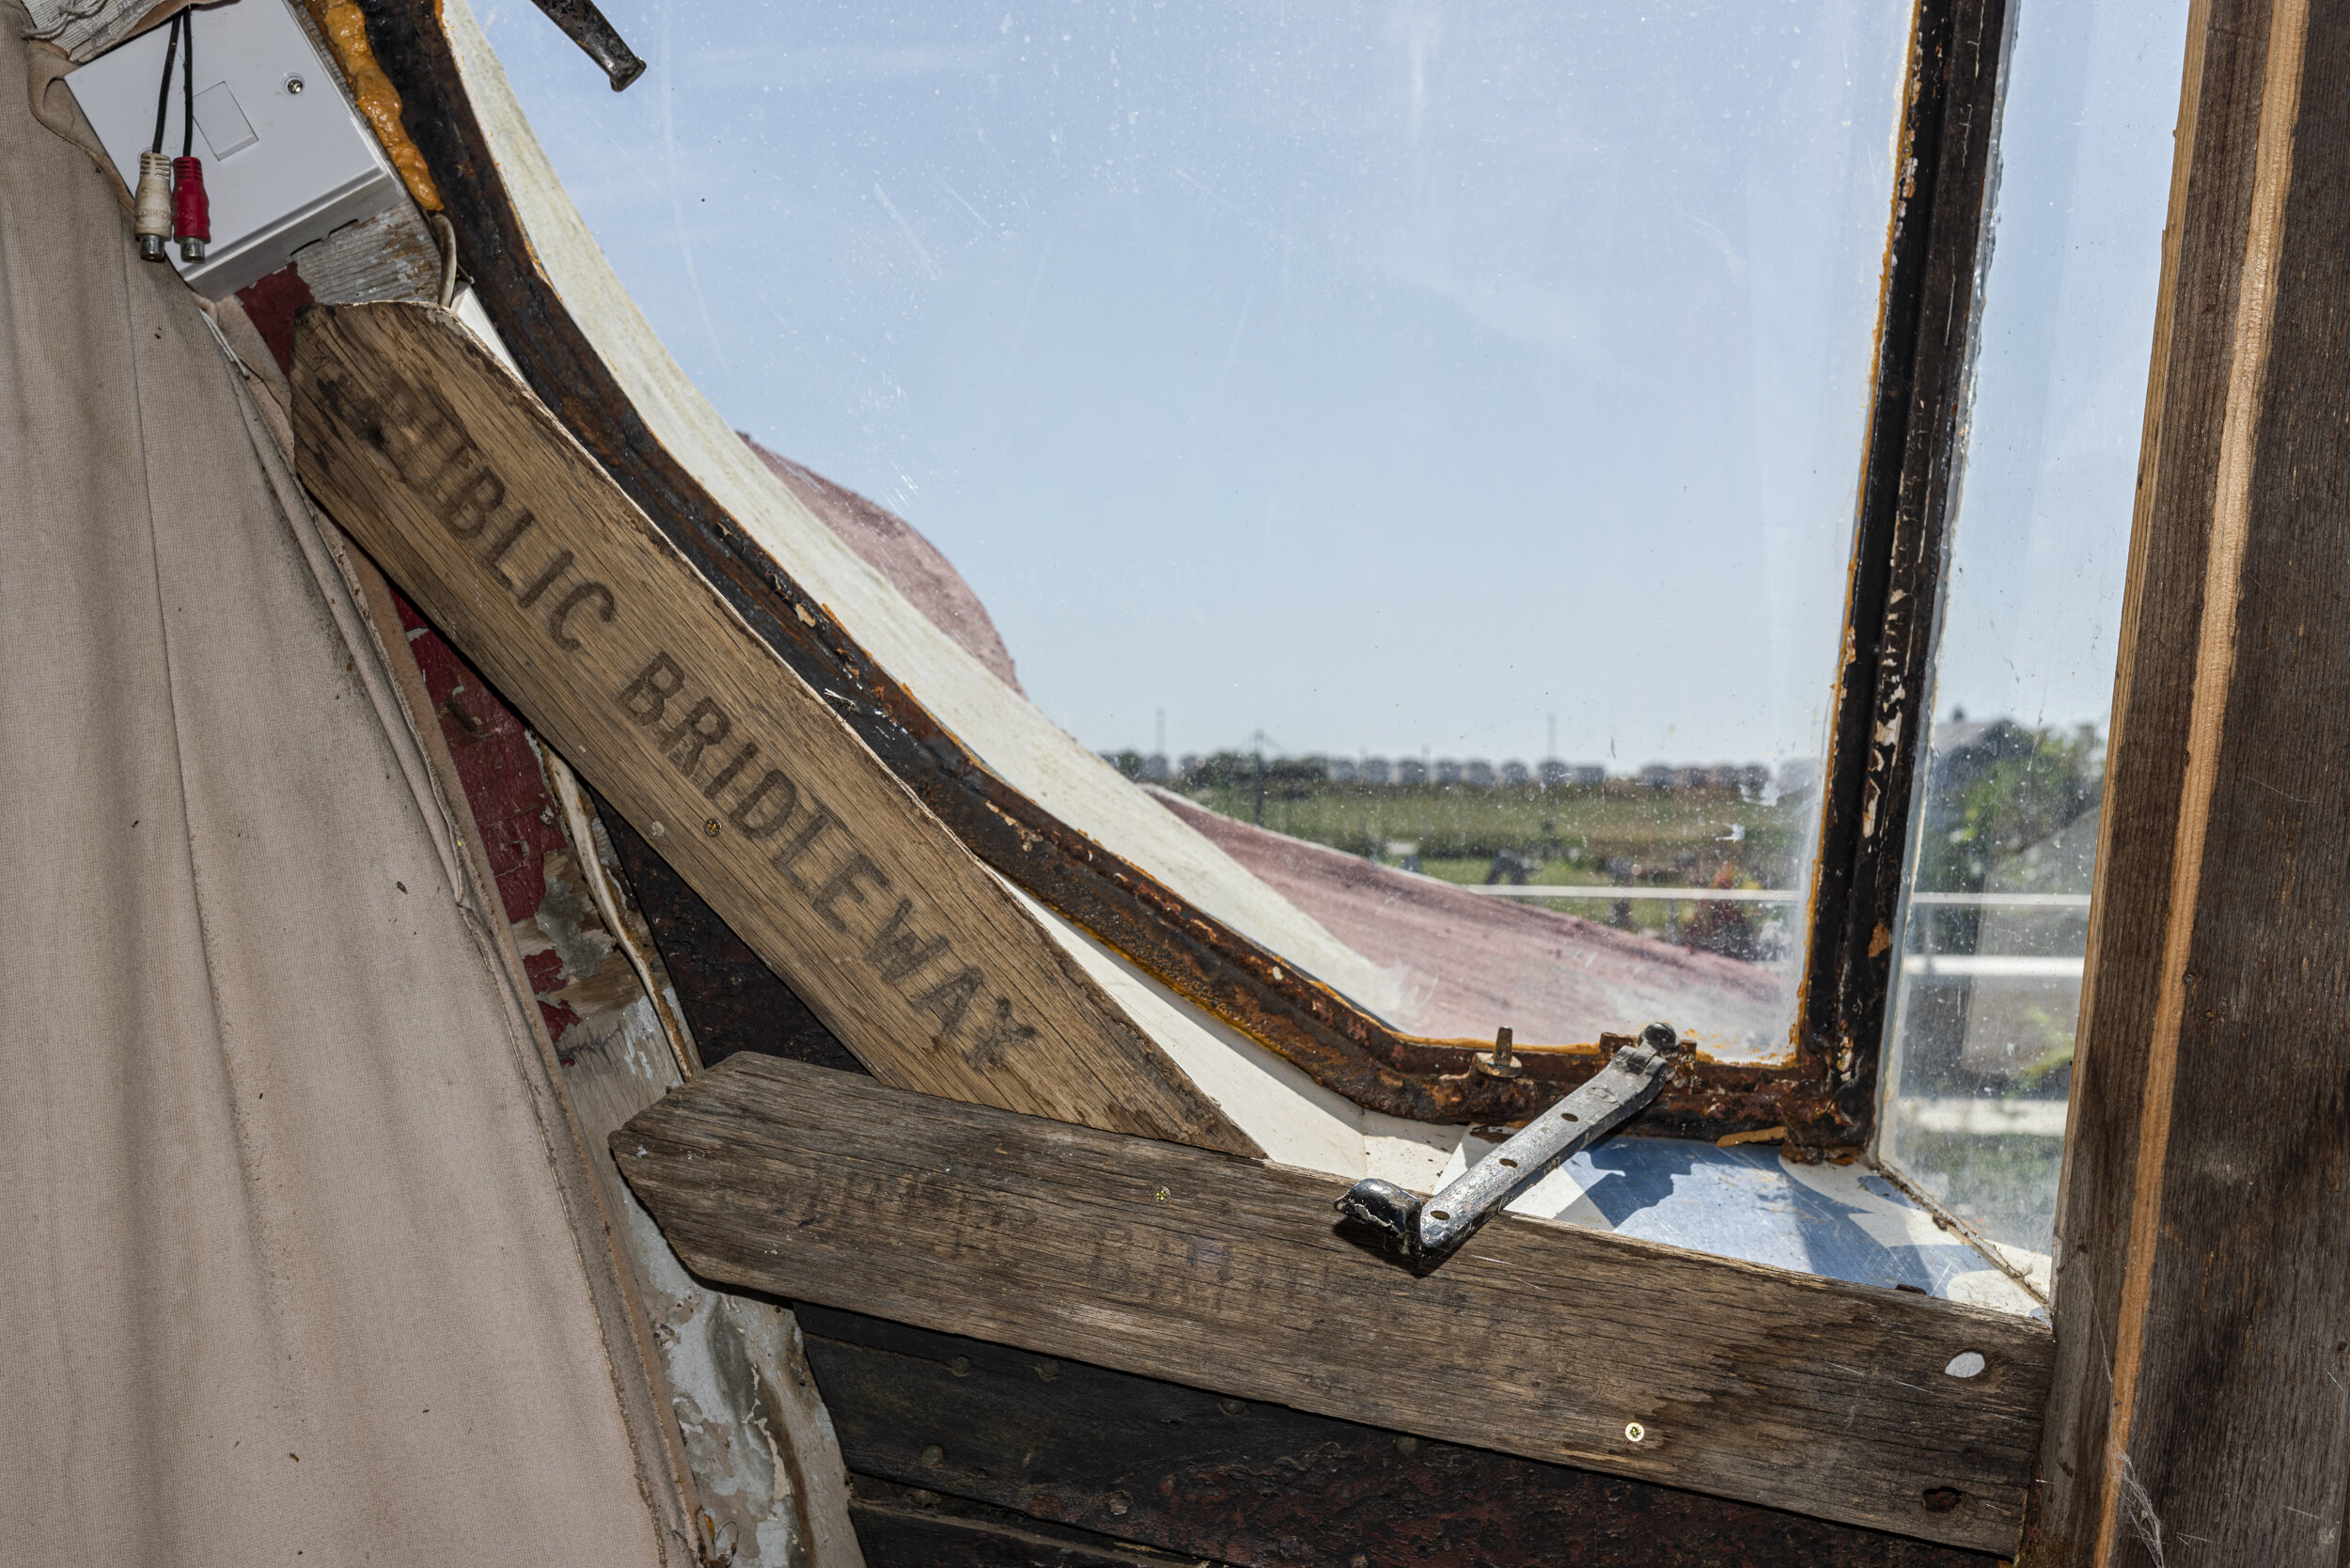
(1223, 1273)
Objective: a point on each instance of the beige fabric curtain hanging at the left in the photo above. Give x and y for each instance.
(295, 1254)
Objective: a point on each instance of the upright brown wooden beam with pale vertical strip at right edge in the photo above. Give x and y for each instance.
(2201, 1407)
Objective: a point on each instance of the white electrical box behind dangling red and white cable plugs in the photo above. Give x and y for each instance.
(286, 156)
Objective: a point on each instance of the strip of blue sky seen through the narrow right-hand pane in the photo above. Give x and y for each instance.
(2060, 391)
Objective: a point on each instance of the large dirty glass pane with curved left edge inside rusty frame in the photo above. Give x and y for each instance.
(1428, 434)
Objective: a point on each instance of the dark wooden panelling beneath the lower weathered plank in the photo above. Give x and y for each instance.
(1258, 1485)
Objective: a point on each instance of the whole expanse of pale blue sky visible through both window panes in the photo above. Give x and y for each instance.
(1383, 377)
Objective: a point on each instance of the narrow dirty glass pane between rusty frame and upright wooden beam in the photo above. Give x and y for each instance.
(1980, 1061)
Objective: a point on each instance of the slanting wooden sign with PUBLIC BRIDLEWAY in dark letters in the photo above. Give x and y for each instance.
(546, 577)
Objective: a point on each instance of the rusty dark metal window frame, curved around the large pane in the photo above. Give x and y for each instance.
(1942, 168)
